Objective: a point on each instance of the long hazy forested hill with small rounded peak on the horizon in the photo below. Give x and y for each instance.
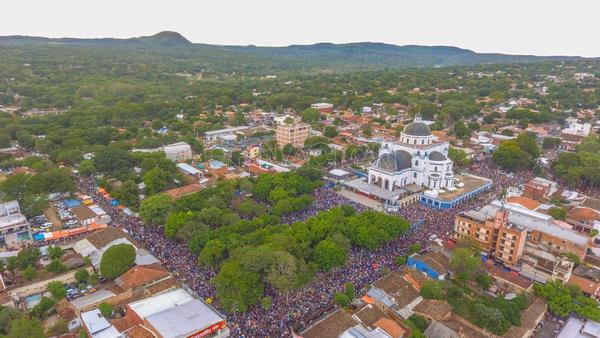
(321, 56)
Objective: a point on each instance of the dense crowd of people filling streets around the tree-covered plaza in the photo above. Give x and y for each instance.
(292, 311)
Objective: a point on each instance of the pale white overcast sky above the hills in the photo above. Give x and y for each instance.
(549, 27)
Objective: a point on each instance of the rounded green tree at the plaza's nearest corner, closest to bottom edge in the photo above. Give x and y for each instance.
(237, 288)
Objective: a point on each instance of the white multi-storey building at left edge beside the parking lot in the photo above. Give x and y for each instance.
(14, 228)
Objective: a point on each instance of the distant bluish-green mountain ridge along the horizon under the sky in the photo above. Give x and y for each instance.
(369, 54)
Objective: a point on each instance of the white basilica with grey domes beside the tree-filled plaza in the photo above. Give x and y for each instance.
(413, 159)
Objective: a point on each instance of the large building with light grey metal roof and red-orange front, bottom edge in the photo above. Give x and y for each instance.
(177, 314)
